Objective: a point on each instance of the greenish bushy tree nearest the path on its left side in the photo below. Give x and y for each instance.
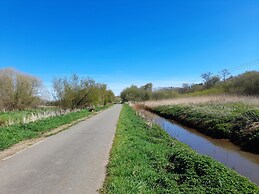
(75, 92)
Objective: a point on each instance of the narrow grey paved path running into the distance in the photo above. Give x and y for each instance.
(72, 161)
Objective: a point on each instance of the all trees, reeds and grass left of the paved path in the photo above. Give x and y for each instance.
(22, 95)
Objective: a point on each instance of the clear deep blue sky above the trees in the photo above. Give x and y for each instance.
(124, 42)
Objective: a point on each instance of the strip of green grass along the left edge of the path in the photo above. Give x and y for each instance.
(13, 134)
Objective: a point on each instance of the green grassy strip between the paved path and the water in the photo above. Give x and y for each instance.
(145, 159)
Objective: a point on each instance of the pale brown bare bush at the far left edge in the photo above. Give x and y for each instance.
(18, 90)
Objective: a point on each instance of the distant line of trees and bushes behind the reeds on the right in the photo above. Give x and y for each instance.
(244, 84)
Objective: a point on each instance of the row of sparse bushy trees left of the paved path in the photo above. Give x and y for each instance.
(20, 91)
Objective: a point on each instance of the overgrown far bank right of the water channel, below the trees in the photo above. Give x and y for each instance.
(235, 121)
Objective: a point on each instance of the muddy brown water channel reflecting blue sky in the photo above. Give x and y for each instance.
(245, 163)
